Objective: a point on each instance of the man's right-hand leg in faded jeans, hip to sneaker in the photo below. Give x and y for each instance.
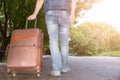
(64, 39)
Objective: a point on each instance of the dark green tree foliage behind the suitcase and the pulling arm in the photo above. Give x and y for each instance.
(14, 17)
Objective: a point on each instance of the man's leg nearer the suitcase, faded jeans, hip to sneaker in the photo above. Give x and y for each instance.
(52, 28)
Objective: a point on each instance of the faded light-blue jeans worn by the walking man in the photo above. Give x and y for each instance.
(57, 22)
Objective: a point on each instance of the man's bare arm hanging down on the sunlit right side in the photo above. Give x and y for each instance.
(72, 13)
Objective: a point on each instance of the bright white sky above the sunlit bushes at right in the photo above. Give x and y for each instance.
(106, 11)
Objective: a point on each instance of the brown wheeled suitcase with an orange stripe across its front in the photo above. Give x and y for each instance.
(25, 51)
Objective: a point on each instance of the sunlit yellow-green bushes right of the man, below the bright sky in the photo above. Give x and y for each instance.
(94, 39)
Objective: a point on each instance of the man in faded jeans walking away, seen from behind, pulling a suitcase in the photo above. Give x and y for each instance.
(58, 15)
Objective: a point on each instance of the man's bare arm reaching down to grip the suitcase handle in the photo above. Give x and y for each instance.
(38, 6)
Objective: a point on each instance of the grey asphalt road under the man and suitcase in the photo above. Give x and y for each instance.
(82, 68)
